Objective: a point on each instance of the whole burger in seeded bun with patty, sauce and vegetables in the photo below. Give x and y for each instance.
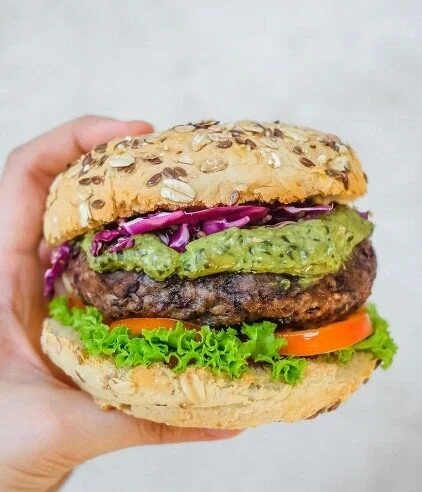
(214, 275)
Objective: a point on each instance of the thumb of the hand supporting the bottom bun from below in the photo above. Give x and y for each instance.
(93, 431)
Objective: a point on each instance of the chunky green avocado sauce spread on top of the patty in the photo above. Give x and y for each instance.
(308, 249)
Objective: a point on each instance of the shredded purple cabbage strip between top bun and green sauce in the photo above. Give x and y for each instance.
(192, 225)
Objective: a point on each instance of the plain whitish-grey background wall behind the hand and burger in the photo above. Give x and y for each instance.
(352, 68)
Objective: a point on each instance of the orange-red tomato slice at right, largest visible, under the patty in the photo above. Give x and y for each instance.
(328, 338)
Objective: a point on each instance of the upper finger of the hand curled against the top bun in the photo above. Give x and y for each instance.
(31, 168)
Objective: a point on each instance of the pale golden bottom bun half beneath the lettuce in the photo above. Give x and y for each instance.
(199, 398)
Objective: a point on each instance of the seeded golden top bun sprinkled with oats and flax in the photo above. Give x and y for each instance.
(200, 165)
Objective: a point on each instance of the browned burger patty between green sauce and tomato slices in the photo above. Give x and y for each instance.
(230, 298)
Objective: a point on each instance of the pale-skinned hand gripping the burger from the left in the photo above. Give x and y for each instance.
(48, 427)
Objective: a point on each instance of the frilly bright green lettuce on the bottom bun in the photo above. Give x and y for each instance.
(222, 351)
